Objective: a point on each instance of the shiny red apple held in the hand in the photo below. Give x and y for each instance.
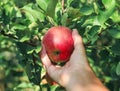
(59, 43)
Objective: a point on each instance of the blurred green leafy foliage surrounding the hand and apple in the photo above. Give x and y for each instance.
(23, 24)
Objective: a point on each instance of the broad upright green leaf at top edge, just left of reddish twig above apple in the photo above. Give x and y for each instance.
(51, 8)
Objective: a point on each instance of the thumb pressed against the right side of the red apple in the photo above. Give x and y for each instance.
(79, 50)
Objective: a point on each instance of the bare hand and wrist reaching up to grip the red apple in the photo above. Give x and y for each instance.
(76, 74)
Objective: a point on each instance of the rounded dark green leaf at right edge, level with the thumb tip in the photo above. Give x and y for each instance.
(114, 32)
